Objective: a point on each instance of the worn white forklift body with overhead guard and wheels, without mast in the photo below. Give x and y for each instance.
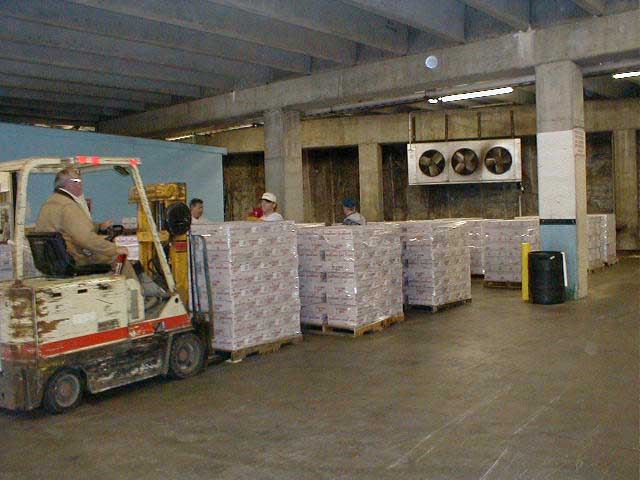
(62, 336)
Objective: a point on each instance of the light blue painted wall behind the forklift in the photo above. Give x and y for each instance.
(200, 167)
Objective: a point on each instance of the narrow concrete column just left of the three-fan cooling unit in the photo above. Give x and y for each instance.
(370, 167)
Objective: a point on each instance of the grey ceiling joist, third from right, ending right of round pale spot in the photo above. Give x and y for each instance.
(444, 18)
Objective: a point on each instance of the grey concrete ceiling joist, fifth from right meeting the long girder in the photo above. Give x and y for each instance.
(208, 17)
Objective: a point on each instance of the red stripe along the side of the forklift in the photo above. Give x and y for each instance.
(115, 335)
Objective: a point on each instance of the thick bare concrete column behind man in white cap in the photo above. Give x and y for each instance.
(283, 162)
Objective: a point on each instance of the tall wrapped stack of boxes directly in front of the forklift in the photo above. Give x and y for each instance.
(253, 275)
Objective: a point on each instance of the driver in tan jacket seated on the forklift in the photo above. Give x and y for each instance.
(66, 212)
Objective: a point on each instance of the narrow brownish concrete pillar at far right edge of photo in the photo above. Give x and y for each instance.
(625, 159)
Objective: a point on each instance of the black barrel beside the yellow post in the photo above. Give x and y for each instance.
(546, 278)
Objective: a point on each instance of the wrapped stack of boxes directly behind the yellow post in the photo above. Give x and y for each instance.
(503, 250)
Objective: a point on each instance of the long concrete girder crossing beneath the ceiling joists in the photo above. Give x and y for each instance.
(505, 57)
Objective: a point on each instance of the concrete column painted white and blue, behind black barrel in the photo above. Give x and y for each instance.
(562, 178)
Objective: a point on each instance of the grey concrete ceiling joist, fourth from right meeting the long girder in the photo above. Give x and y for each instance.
(331, 17)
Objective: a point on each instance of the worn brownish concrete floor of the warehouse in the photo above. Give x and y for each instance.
(498, 389)
